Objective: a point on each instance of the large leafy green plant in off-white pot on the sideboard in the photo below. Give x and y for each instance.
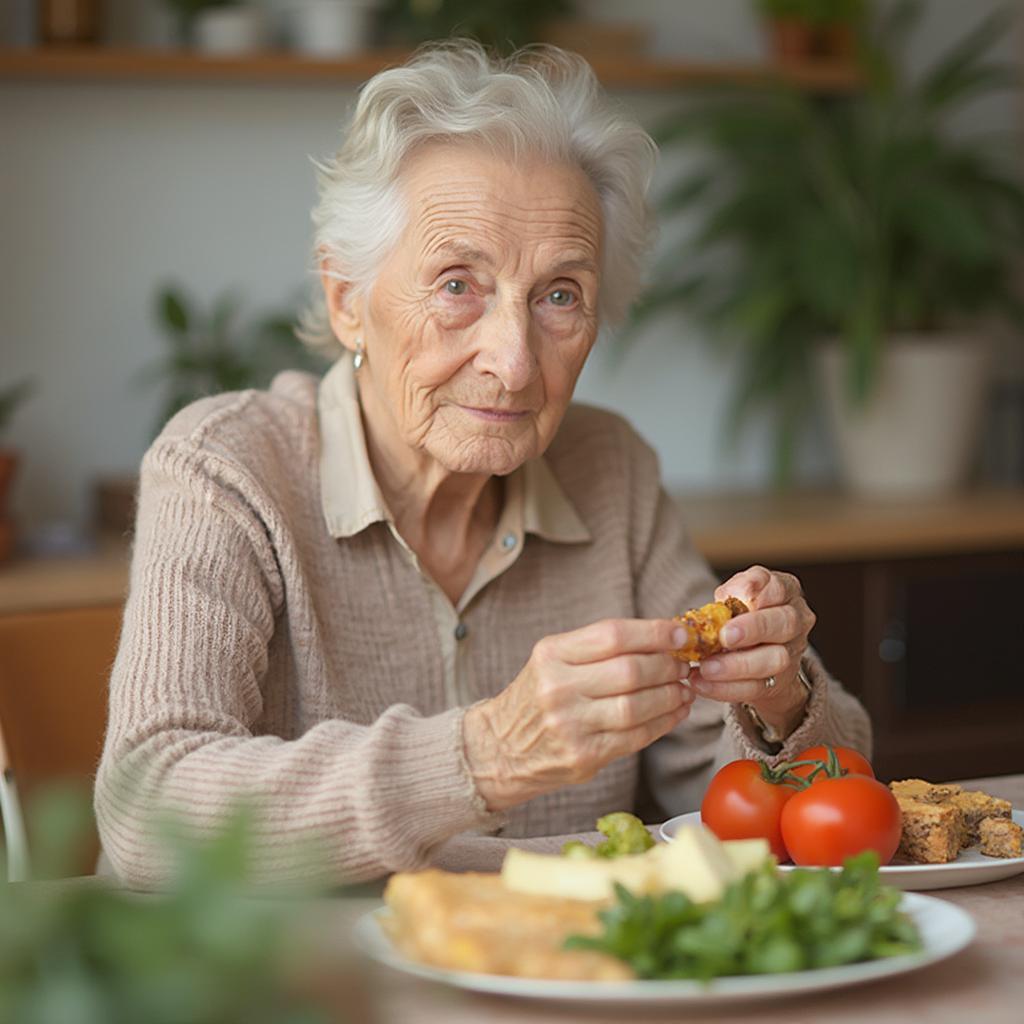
(862, 219)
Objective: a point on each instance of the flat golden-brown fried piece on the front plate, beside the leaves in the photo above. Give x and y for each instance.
(471, 922)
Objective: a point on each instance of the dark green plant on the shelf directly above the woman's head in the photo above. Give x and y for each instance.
(500, 24)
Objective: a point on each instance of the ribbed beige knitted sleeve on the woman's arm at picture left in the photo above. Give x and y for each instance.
(186, 703)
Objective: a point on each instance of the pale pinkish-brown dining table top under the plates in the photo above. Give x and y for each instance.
(982, 985)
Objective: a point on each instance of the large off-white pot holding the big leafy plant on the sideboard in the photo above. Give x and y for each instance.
(918, 434)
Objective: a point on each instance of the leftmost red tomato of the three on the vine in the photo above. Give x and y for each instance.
(742, 803)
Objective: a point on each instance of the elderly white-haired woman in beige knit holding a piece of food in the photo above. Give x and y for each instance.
(428, 598)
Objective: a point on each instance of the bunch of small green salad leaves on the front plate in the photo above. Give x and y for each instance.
(766, 923)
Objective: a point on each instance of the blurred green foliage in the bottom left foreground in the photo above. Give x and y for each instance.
(209, 950)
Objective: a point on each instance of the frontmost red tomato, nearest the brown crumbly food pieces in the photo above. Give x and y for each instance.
(836, 819)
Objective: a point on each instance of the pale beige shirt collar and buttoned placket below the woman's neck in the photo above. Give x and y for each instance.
(352, 500)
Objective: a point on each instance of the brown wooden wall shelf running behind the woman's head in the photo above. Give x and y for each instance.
(107, 65)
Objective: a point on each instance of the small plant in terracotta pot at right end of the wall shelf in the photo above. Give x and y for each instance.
(807, 30)
